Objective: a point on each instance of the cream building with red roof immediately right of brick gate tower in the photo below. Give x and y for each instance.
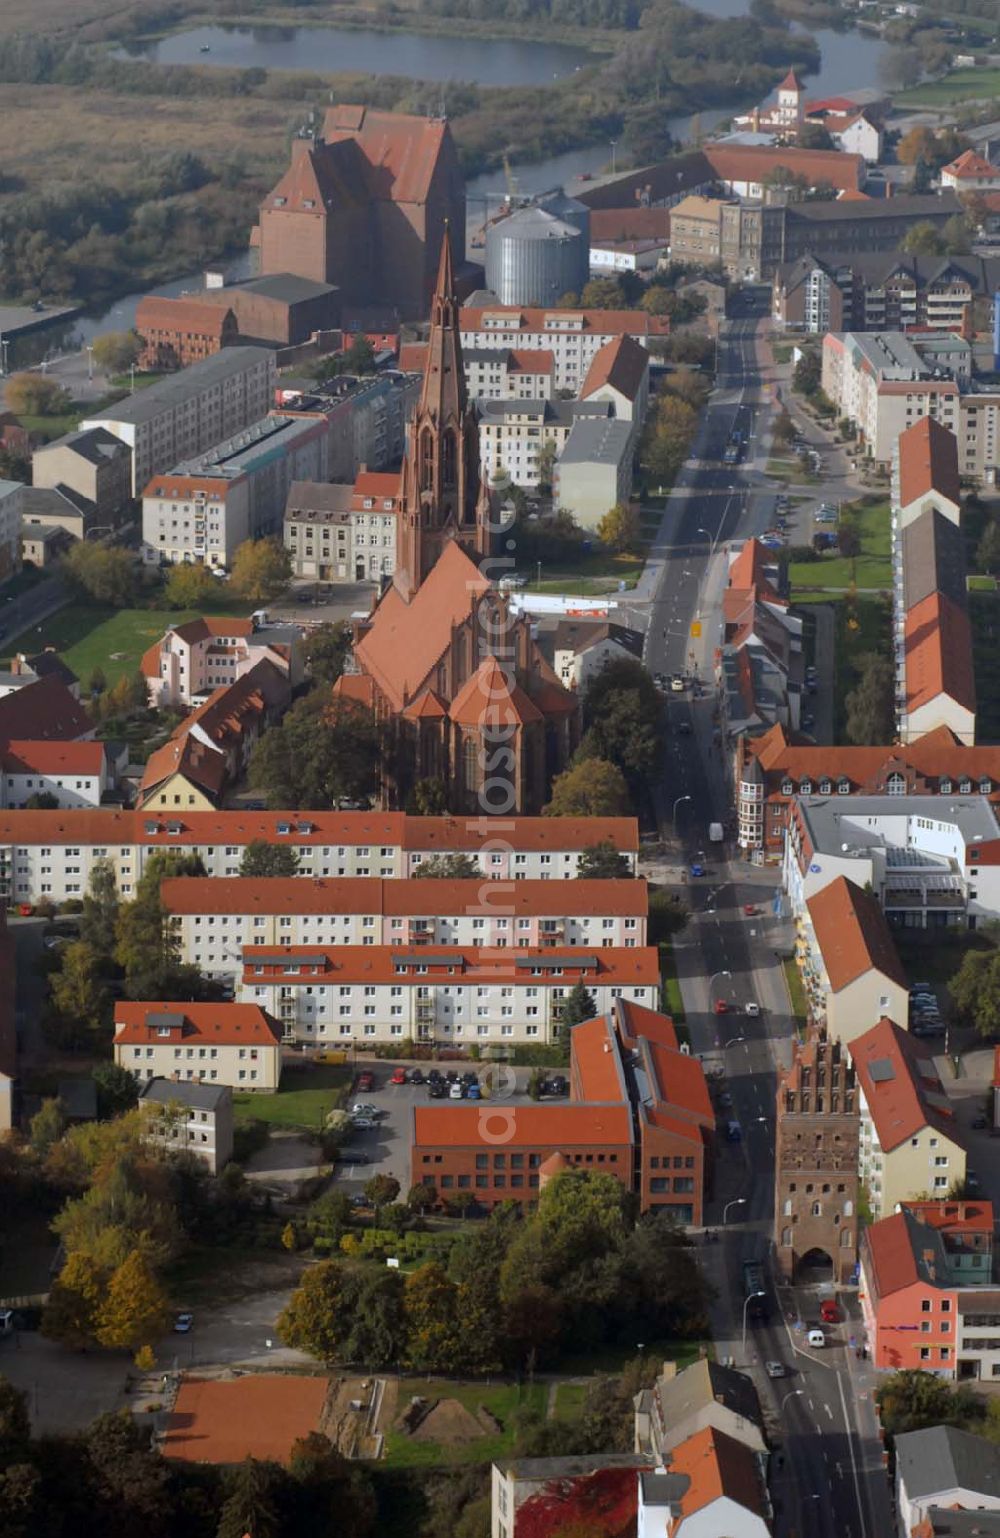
(908, 1142)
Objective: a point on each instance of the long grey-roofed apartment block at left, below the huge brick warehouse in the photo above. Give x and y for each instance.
(187, 413)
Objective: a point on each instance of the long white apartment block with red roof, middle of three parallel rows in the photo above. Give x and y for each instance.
(218, 920)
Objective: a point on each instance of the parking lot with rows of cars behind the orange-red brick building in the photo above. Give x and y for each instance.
(385, 1148)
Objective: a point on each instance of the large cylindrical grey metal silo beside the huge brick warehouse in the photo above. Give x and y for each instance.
(535, 259)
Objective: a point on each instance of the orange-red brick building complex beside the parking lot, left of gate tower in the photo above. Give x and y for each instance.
(639, 1110)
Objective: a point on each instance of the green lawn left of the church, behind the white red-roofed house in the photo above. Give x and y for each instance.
(90, 636)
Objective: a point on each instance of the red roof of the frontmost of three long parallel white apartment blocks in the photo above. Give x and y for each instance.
(616, 965)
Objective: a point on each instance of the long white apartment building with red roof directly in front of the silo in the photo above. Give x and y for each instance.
(573, 338)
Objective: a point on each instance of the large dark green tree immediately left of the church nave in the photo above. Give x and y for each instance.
(325, 751)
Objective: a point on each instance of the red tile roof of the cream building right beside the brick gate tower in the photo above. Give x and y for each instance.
(898, 1094)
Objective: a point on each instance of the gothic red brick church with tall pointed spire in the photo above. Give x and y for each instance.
(441, 656)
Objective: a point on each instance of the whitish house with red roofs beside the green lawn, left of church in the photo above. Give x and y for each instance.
(207, 654)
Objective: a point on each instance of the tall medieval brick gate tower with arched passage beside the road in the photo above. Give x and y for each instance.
(816, 1162)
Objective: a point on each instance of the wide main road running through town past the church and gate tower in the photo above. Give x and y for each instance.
(827, 1477)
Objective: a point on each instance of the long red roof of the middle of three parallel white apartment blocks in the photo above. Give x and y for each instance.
(418, 897)
